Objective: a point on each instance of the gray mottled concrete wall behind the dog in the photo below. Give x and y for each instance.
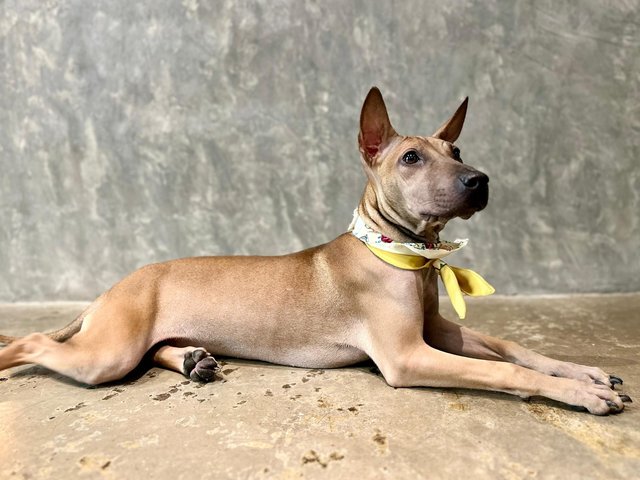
(134, 132)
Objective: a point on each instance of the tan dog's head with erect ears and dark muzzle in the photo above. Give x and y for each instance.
(419, 182)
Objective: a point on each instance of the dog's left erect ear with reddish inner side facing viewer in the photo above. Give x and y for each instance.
(375, 128)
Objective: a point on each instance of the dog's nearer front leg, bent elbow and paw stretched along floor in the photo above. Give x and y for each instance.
(396, 345)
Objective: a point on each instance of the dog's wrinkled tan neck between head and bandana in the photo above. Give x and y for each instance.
(383, 218)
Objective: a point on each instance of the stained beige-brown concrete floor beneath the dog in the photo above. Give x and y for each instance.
(267, 421)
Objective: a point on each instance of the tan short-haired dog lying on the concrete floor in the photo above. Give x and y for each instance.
(330, 306)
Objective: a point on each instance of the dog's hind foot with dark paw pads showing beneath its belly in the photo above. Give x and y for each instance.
(195, 363)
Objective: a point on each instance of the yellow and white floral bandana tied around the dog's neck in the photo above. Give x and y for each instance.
(416, 256)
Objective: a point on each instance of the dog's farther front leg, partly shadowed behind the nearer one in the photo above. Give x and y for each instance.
(453, 338)
